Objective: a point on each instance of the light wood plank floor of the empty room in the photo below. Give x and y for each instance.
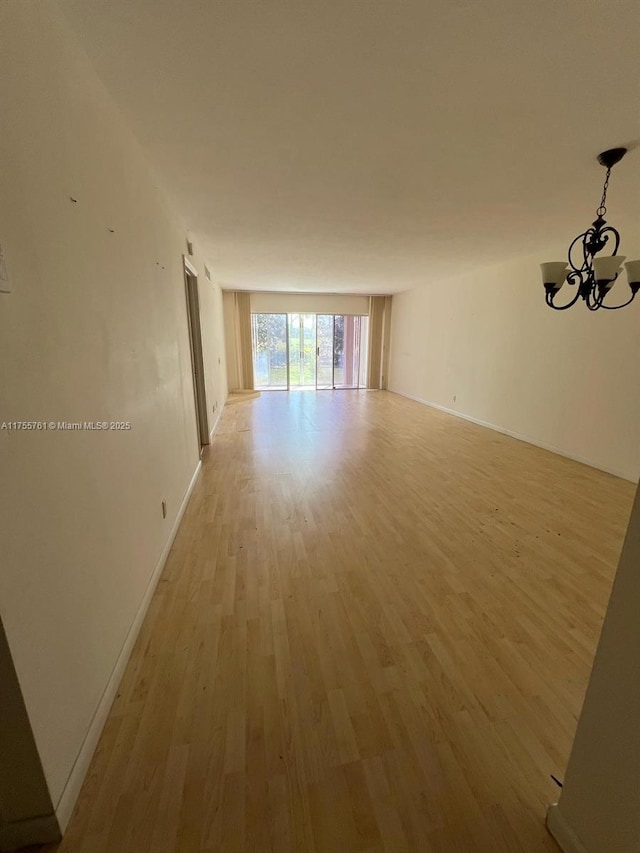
(373, 633)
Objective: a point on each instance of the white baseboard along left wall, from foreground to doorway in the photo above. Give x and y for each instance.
(66, 803)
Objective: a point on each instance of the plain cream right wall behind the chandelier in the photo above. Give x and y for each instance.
(487, 346)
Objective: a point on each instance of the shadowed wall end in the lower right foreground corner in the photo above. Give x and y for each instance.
(599, 808)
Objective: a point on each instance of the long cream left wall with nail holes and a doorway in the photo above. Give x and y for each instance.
(94, 330)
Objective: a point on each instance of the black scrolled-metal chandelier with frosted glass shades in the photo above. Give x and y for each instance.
(593, 276)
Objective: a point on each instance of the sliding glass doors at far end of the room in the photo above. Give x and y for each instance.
(300, 351)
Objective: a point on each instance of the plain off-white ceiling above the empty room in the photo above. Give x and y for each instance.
(368, 146)
